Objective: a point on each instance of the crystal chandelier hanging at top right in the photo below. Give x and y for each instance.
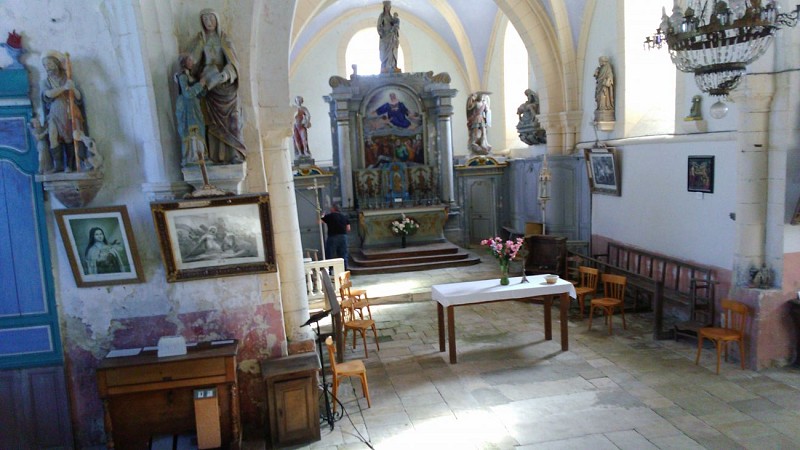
(716, 40)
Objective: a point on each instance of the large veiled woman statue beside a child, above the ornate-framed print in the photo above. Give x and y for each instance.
(218, 65)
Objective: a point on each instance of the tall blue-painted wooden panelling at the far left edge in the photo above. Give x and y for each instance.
(35, 412)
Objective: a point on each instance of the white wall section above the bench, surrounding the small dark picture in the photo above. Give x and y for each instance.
(657, 213)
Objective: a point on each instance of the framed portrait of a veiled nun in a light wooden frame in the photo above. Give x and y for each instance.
(100, 245)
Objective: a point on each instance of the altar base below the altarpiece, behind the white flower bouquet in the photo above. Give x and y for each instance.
(375, 225)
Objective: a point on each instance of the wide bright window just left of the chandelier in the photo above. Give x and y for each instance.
(649, 74)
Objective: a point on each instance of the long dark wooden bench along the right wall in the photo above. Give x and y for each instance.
(687, 290)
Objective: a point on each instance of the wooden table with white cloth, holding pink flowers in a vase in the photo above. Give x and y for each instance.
(486, 291)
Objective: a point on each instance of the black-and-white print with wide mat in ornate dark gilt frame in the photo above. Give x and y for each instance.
(215, 237)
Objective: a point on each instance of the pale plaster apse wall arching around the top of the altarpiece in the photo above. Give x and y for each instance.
(313, 70)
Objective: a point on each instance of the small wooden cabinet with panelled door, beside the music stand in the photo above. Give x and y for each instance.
(292, 398)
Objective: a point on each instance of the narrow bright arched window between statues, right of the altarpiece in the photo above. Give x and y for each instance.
(515, 81)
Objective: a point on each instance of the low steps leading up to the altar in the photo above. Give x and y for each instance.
(411, 258)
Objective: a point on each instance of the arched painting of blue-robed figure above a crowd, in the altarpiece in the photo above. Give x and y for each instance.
(393, 127)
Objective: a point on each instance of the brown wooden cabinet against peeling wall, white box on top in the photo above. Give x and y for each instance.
(145, 395)
